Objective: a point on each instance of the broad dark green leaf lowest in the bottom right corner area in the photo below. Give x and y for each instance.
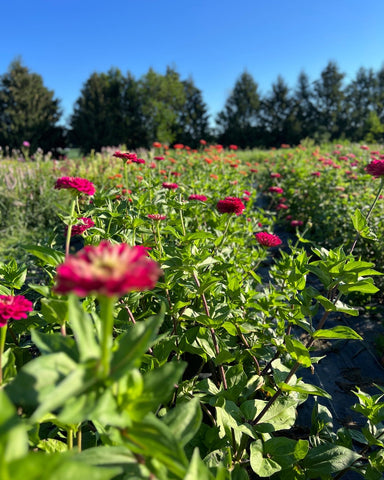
(328, 459)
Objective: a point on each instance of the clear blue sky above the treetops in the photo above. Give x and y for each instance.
(213, 41)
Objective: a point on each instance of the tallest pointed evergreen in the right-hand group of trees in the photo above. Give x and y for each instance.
(330, 104)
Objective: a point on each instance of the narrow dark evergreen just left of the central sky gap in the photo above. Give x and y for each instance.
(193, 123)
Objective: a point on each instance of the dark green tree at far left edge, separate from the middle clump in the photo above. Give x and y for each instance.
(28, 110)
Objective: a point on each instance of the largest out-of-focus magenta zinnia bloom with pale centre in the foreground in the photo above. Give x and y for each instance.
(109, 270)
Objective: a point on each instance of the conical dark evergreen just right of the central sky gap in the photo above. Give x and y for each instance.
(238, 122)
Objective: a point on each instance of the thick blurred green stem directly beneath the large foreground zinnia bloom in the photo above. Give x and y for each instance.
(106, 315)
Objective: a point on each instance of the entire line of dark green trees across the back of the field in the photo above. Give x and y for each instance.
(114, 109)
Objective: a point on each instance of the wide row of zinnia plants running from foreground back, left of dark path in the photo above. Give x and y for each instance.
(163, 339)
